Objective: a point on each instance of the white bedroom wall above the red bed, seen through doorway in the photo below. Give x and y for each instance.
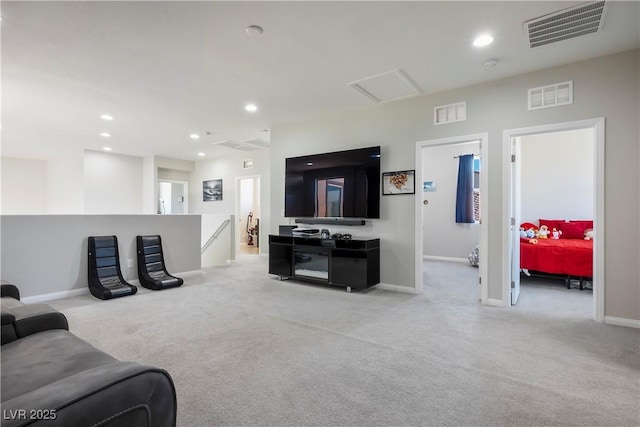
(557, 175)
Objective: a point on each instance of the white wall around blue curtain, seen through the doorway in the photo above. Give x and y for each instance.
(442, 236)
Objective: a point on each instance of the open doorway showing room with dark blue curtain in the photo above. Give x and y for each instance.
(452, 182)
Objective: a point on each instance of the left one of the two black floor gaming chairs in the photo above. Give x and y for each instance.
(105, 278)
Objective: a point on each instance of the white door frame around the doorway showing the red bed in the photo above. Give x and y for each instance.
(598, 126)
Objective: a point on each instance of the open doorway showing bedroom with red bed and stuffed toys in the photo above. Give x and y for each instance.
(554, 175)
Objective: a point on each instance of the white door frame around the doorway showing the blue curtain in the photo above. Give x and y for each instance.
(484, 208)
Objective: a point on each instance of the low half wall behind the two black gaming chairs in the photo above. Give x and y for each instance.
(57, 246)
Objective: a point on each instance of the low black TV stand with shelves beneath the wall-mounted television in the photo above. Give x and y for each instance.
(352, 264)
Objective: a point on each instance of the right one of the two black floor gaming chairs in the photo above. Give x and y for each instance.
(151, 269)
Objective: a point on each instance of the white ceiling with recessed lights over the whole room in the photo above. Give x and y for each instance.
(167, 69)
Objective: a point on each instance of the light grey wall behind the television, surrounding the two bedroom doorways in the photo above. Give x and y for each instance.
(607, 86)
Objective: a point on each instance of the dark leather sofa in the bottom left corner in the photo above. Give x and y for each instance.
(51, 377)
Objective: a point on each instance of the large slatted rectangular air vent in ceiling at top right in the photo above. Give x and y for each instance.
(566, 24)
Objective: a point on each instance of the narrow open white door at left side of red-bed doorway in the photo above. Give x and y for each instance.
(515, 218)
